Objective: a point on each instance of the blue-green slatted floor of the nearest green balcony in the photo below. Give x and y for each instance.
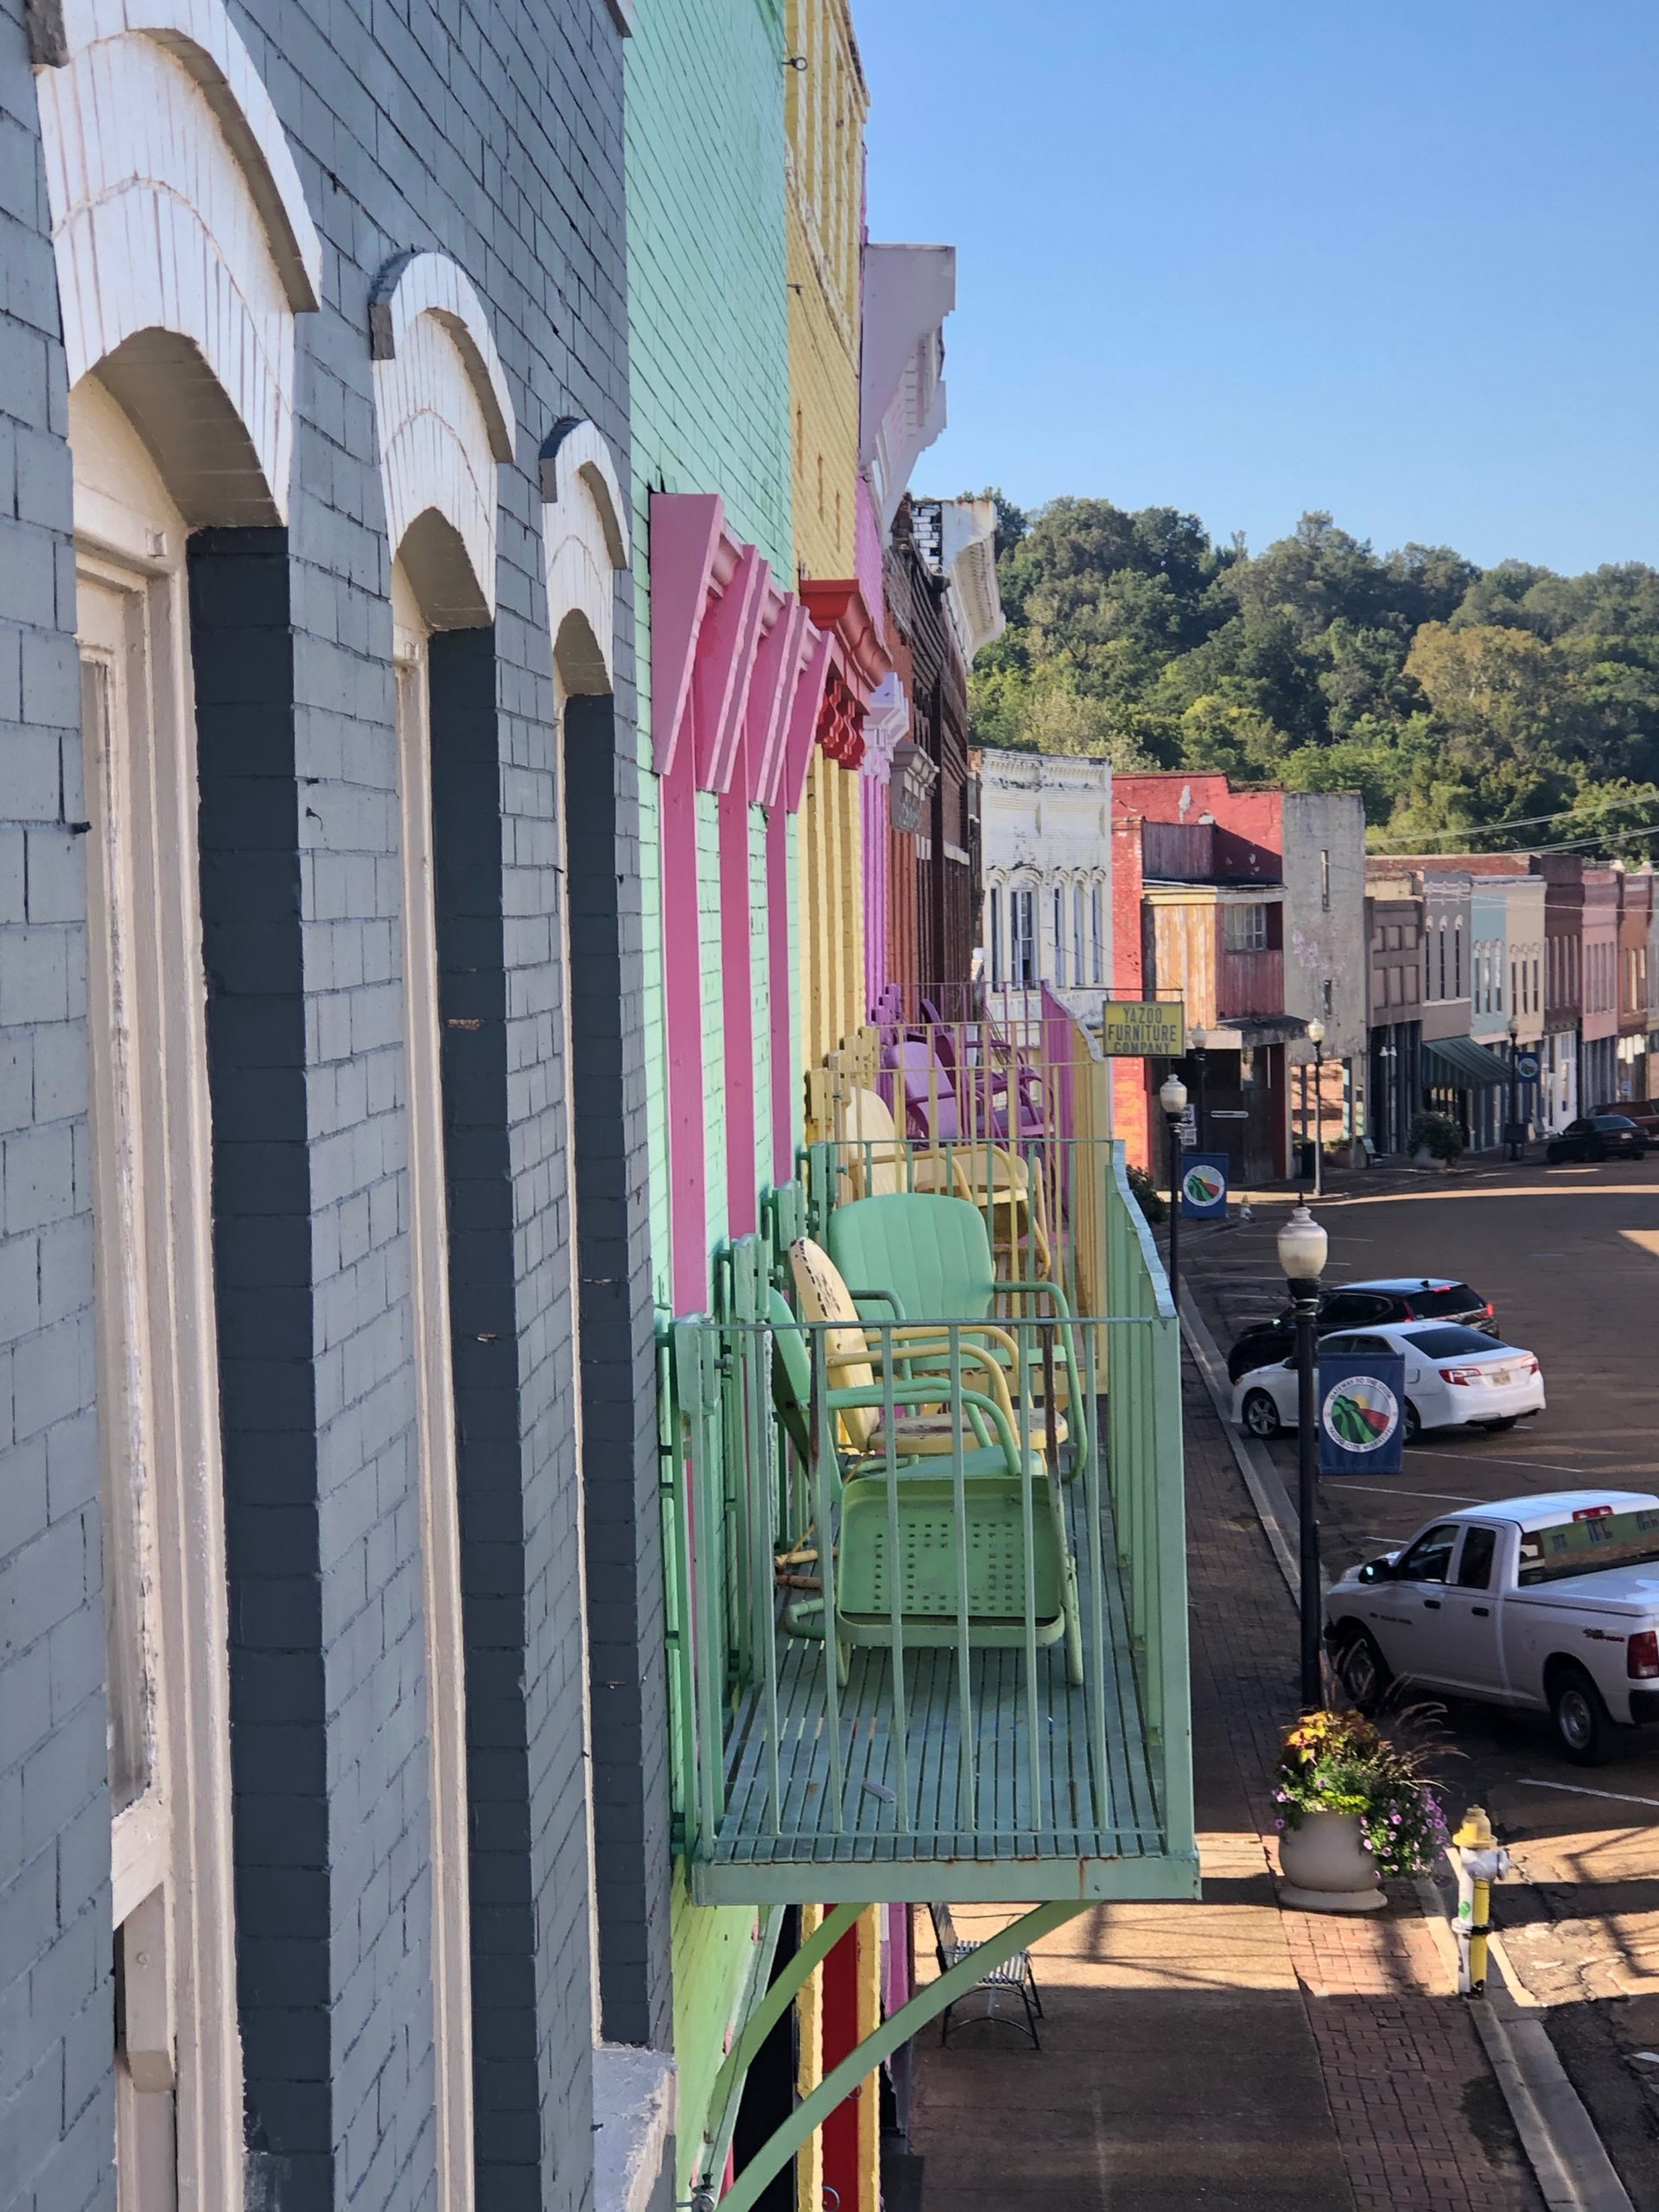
(981, 1824)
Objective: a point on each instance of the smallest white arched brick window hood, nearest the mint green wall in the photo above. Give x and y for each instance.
(585, 539)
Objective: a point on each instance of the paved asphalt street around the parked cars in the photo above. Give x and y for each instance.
(1572, 1262)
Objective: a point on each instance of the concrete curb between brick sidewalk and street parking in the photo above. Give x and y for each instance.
(1558, 2136)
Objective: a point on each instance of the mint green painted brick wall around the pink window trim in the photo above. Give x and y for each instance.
(711, 413)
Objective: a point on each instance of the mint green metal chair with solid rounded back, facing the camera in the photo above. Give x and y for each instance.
(930, 1255)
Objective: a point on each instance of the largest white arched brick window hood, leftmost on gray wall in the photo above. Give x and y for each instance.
(176, 207)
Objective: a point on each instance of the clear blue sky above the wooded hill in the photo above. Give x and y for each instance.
(1269, 255)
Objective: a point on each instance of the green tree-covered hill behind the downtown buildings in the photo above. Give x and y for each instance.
(1452, 698)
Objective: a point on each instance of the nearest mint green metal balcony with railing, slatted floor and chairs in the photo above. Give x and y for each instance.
(928, 1583)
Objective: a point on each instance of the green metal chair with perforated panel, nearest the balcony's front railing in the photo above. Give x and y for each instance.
(924, 1552)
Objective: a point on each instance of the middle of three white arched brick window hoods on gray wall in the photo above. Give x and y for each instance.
(446, 421)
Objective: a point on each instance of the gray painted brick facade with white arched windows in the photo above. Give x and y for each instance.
(490, 138)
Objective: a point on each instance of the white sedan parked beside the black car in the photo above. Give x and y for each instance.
(1454, 1379)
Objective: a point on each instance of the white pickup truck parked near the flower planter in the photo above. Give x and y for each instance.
(1547, 1603)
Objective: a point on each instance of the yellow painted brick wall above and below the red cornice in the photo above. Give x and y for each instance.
(826, 125)
